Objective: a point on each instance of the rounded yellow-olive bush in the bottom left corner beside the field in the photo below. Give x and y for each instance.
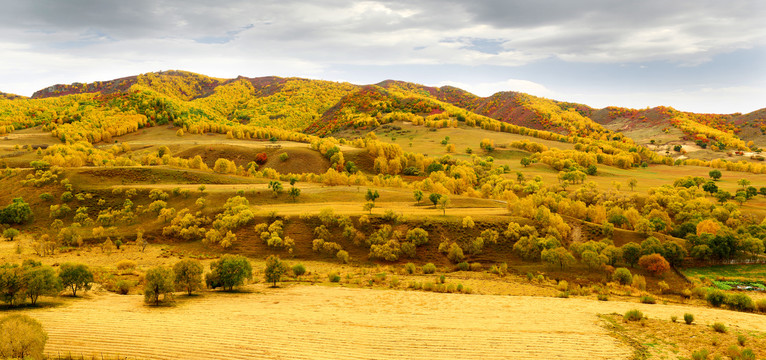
(21, 337)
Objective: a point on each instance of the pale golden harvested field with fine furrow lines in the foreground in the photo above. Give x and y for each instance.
(318, 322)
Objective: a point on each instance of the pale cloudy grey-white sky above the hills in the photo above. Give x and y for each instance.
(705, 56)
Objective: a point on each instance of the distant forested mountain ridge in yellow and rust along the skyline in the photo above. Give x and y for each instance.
(324, 107)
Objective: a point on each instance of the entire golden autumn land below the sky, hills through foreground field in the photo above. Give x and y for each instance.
(201, 205)
